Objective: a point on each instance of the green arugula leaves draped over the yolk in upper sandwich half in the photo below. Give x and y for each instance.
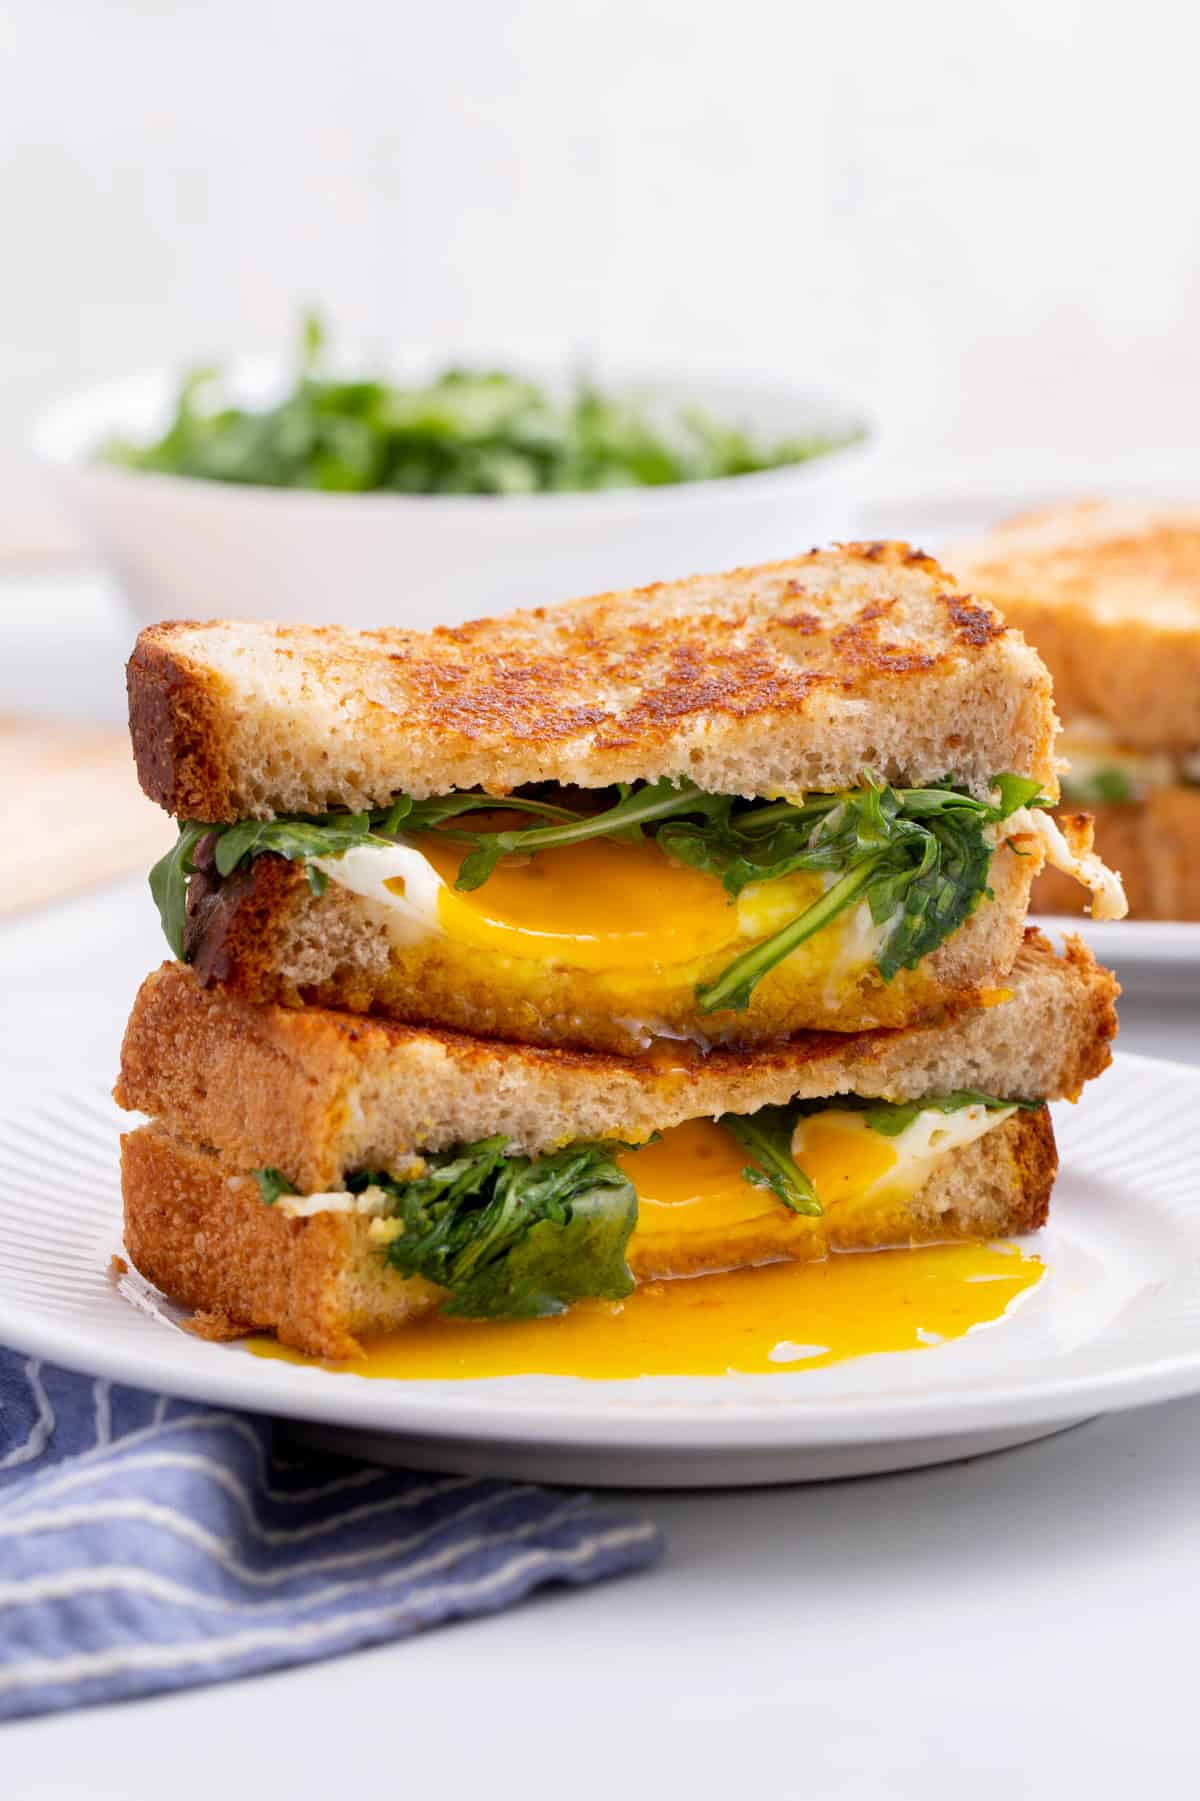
(920, 858)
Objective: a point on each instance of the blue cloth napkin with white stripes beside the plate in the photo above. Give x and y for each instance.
(152, 1544)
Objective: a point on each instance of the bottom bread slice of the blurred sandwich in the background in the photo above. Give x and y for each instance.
(1154, 844)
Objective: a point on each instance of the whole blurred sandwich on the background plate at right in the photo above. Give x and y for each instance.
(1111, 597)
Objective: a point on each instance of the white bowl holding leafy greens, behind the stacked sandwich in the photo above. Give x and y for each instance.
(188, 548)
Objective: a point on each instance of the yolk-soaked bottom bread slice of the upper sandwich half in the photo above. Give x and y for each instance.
(271, 939)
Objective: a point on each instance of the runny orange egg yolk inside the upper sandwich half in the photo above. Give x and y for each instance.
(605, 905)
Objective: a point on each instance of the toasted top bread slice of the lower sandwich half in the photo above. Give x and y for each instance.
(322, 1094)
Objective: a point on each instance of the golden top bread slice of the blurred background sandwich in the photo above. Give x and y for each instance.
(1111, 597)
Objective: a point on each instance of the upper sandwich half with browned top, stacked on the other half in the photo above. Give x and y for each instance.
(718, 811)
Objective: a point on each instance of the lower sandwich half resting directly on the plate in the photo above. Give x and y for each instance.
(325, 1179)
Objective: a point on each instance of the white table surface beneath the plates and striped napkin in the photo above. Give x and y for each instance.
(1014, 1625)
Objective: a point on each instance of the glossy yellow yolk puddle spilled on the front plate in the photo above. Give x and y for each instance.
(765, 1321)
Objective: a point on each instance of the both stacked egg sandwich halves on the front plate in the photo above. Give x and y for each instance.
(641, 937)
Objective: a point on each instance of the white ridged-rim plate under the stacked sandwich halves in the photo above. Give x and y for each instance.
(1116, 1323)
